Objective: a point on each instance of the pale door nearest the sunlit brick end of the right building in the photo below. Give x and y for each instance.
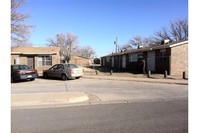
(151, 61)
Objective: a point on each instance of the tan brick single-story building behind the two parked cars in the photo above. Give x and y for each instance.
(39, 58)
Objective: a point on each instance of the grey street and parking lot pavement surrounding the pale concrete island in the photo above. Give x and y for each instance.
(120, 107)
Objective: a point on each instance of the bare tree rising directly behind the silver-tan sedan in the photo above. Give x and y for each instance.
(67, 43)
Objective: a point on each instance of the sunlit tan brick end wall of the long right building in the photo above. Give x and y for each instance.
(179, 60)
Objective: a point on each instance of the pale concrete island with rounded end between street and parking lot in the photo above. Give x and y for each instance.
(47, 99)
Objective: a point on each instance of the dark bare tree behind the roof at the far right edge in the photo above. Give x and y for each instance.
(177, 31)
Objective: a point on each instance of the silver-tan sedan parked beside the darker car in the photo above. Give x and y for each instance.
(64, 71)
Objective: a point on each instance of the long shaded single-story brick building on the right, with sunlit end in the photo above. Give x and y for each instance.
(171, 57)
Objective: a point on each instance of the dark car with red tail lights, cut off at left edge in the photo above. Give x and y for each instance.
(22, 72)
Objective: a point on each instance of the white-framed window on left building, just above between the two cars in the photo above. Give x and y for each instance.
(45, 60)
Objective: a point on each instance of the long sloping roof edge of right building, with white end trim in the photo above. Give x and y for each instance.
(150, 48)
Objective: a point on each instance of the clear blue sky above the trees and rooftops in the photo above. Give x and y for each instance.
(97, 23)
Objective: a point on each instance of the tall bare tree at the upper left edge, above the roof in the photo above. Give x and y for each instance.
(19, 30)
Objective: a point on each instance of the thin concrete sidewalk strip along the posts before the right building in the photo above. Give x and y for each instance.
(139, 79)
